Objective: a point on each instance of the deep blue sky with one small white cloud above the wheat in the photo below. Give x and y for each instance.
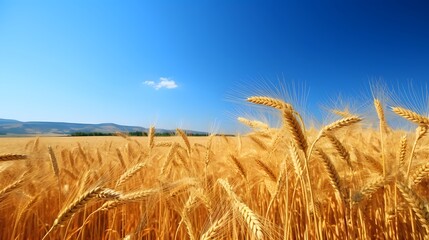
(175, 63)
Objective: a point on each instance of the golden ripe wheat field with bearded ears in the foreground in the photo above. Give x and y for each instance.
(341, 181)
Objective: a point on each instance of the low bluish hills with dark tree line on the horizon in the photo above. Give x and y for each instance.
(14, 127)
